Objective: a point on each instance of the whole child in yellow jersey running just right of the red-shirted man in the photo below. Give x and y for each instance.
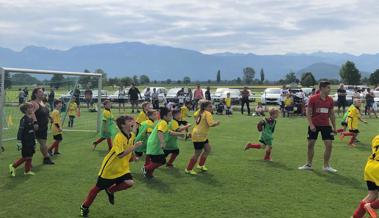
(353, 118)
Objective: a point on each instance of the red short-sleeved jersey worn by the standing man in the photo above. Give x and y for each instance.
(320, 109)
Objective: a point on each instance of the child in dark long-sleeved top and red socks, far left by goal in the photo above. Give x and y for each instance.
(27, 139)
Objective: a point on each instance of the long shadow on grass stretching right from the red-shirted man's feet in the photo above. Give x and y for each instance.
(340, 179)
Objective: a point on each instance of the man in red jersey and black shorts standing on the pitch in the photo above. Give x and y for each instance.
(319, 112)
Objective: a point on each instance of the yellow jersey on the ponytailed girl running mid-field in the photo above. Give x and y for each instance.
(202, 124)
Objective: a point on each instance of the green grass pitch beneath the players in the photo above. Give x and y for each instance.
(238, 184)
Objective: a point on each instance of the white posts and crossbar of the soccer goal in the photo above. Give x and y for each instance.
(5, 70)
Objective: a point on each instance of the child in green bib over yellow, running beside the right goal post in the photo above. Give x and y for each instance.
(108, 128)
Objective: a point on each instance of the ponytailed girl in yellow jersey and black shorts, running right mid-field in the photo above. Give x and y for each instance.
(204, 121)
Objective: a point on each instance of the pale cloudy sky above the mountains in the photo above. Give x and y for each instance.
(212, 26)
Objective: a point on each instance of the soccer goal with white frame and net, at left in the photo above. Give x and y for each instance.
(85, 89)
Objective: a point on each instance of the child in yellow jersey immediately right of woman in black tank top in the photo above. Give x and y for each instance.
(56, 128)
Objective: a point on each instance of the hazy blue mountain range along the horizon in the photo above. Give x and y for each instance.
(163, 62)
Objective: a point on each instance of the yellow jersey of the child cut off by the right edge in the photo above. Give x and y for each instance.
(372, 166)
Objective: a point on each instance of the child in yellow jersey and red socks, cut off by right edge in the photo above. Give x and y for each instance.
(371, 175)
